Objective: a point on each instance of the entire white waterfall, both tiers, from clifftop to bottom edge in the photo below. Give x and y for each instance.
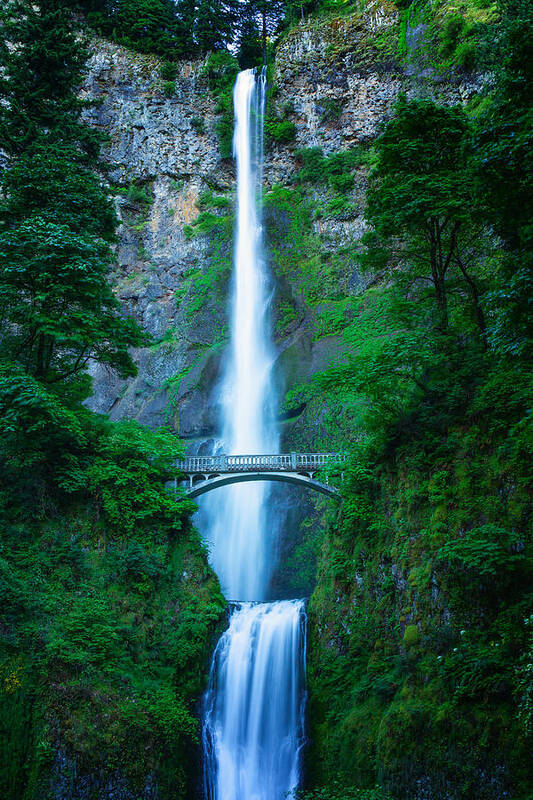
(254, 706)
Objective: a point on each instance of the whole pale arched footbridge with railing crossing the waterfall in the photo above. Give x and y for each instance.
(205, 473)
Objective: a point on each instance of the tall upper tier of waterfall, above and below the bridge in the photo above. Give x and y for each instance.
(240, 541)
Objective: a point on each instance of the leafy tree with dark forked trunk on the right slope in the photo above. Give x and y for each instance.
(420, 208)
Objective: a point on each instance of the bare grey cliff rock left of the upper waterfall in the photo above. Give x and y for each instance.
(159, 164)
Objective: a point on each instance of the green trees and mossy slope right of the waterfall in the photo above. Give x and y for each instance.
(420, 673)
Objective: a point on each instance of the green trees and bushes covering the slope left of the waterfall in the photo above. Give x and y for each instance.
(107, 605)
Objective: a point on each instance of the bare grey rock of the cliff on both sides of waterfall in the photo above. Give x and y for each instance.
(163, 154)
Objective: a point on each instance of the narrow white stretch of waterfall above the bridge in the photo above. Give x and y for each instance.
(249, 426)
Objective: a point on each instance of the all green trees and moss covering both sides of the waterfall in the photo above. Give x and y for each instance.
(421, 627)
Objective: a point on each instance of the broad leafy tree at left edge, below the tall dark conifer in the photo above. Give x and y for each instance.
(56, 305)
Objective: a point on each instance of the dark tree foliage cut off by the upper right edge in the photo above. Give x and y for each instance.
(504, 159)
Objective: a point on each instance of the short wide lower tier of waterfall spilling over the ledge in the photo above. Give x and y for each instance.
(254, 706)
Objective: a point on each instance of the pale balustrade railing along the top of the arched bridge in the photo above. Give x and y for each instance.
(281, 462)
